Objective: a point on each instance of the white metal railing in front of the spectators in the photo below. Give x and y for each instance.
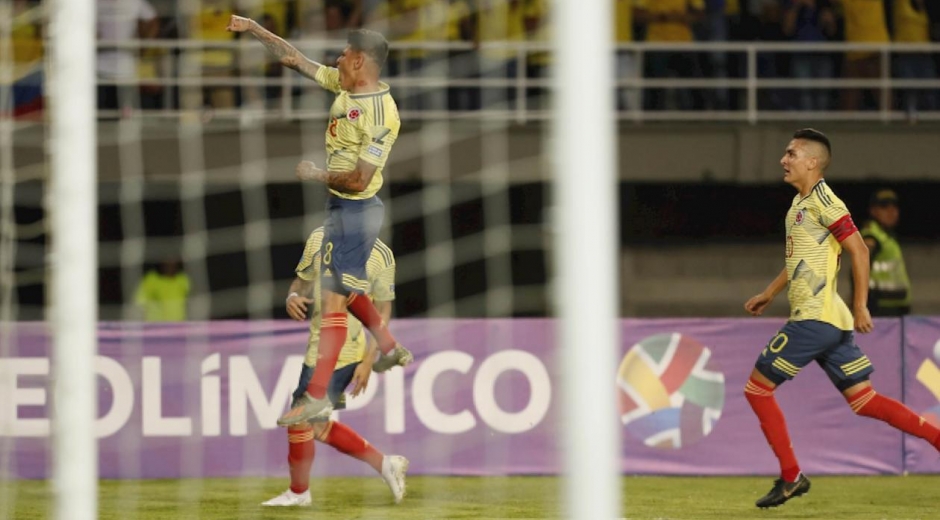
(179, 62)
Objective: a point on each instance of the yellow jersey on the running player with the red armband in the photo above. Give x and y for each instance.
(816, 226)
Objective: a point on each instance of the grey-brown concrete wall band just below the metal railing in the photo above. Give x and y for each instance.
(667, 152)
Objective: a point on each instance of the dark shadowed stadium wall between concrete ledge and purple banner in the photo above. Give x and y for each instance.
(688, 249)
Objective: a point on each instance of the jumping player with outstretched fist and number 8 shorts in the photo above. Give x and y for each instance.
(363, 126)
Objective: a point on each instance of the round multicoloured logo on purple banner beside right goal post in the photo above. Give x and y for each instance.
(670, 391)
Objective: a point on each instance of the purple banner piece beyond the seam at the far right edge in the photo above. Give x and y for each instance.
(922, 388)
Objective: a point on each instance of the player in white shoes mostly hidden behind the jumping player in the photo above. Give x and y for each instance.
(354, 366)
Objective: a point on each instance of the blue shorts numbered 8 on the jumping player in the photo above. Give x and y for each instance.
(350, 232)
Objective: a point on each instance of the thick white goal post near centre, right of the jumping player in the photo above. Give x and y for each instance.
(586, 249)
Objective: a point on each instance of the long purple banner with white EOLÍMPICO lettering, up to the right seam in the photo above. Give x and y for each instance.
(201, 399)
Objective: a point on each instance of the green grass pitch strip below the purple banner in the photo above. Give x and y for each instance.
(697, 498)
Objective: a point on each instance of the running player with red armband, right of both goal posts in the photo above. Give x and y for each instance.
(820, 327)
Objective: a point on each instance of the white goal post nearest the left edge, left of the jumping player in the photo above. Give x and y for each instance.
(72, 301)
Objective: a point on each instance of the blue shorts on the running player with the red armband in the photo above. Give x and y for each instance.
(800, 342)
